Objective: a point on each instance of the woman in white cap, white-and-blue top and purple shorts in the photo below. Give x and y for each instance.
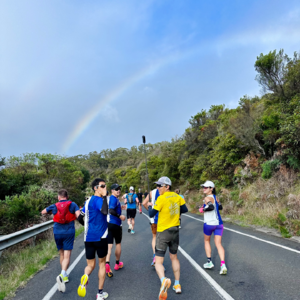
(212, 224)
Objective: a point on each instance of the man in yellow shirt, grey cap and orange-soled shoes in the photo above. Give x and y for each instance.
(170, 206)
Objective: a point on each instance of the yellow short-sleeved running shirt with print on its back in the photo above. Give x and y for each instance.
(168, 206)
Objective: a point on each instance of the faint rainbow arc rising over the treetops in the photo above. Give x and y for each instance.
(84, 123)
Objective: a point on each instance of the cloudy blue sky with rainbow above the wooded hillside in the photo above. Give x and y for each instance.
(82, 76)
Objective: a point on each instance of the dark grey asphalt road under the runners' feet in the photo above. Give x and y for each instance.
(259, 267)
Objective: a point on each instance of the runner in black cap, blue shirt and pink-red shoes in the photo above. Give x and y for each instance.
(114, 228)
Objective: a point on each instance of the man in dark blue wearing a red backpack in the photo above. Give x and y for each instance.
(65, 212)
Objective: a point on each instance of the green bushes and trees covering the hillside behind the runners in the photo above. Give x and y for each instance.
(251, 153)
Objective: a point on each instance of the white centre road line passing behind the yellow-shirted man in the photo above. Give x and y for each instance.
(215, 286)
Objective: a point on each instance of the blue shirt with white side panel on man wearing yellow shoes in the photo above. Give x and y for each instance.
(95, 222)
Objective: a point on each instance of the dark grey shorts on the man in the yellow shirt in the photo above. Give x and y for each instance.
(168, 238)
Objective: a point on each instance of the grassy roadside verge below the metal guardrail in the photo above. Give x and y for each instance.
(17, 267)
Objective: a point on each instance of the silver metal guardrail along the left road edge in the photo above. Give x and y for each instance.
(9, 240)
